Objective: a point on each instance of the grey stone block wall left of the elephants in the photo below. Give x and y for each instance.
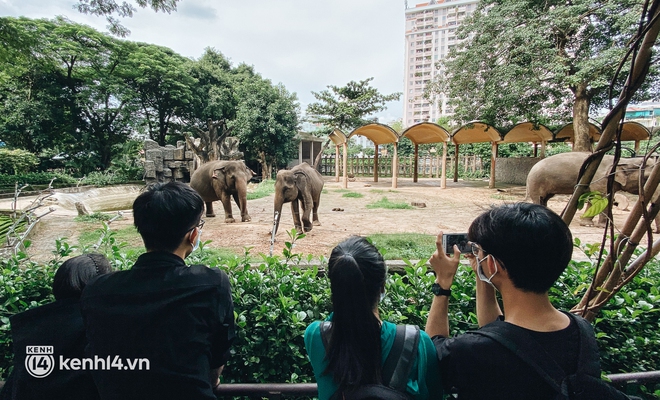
(167, 163)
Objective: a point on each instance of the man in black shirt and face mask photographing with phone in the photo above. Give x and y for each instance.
(519, 250)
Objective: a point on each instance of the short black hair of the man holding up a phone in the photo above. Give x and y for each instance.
(531, 242)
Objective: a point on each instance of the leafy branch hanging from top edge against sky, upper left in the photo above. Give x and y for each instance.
(109, 8)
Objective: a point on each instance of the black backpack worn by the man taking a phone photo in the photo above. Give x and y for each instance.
(585, 383)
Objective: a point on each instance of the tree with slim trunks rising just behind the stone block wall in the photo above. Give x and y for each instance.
(162, 85)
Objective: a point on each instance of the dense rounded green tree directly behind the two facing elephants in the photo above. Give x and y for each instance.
(267, 122)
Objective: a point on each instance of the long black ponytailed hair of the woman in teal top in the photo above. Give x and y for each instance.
(357, 277)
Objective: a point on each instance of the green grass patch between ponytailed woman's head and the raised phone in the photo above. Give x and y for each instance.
(397, 246)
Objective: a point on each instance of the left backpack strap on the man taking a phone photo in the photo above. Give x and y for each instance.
(528, 350)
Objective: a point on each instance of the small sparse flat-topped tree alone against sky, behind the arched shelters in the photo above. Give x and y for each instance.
(349, 106)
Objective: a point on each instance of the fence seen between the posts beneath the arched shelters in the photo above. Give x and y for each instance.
(428, 166)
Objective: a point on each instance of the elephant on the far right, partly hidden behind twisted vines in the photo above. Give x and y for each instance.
(558, 174)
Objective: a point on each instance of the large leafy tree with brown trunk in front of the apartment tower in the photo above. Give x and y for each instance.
(537, 61)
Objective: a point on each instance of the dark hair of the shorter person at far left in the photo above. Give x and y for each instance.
(74, 274)
